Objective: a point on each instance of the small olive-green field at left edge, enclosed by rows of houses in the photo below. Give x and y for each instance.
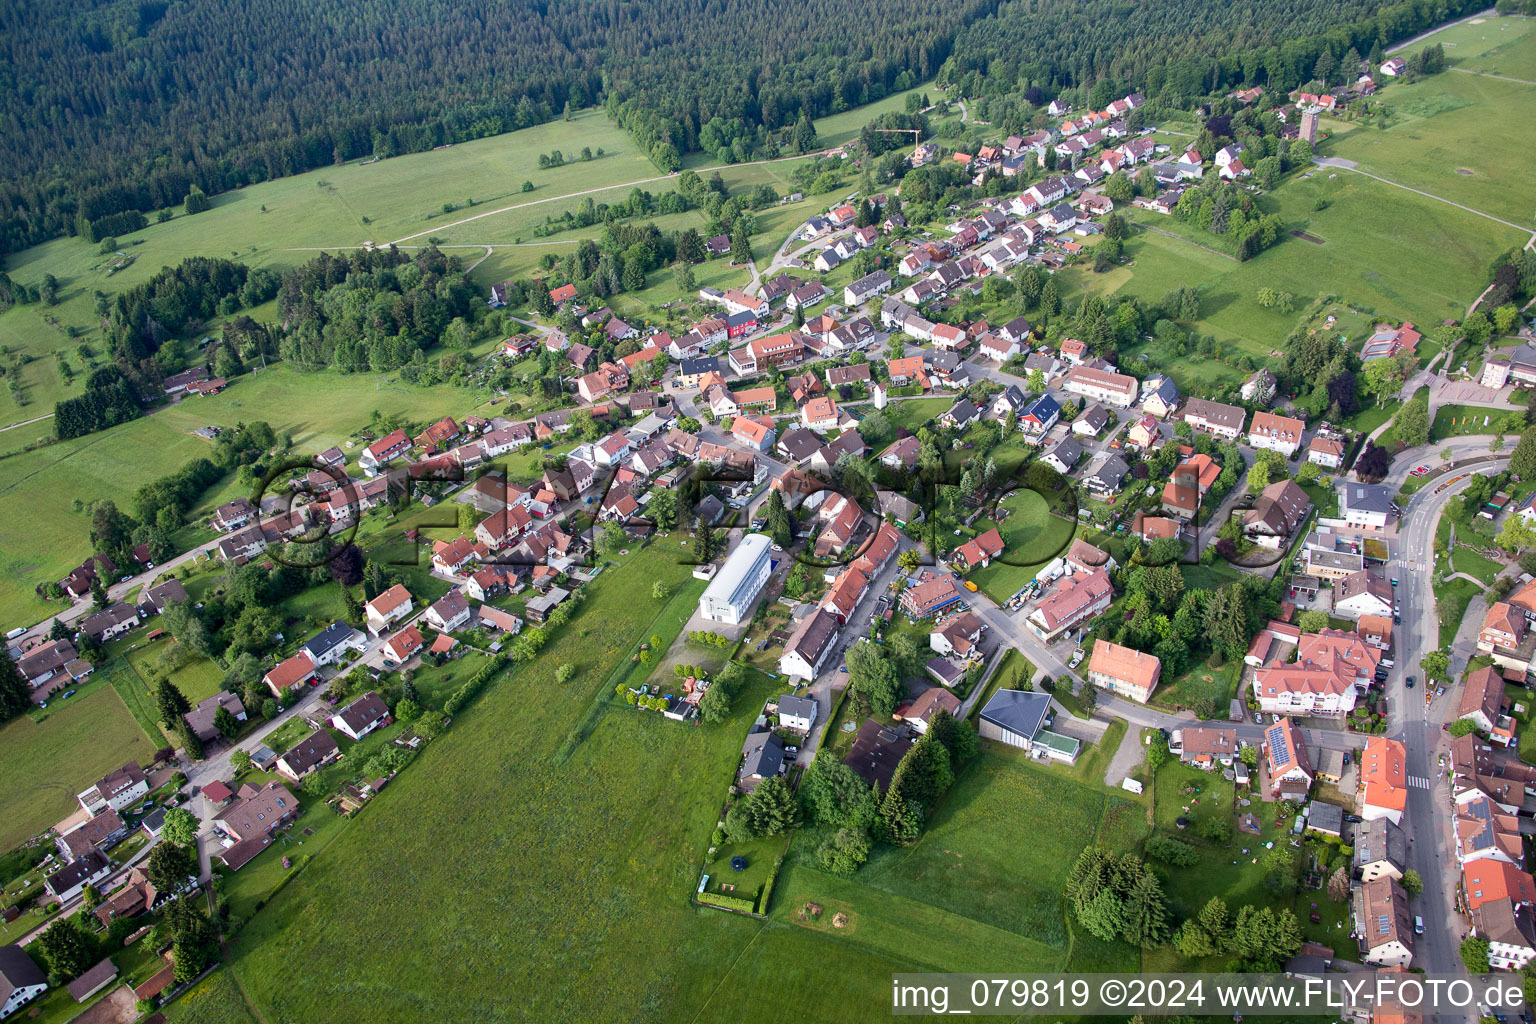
(45, 764)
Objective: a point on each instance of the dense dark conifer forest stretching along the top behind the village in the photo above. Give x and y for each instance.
(122, 108)
